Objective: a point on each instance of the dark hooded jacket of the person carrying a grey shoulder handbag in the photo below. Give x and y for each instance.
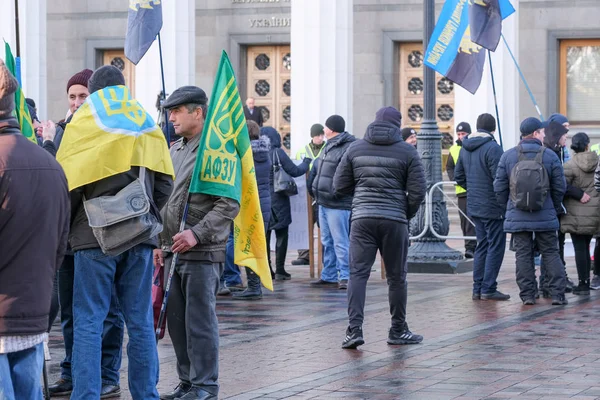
(281, 214)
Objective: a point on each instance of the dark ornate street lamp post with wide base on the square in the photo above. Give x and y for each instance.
(430, 253)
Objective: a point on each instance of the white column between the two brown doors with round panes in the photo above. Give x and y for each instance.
(322, 58)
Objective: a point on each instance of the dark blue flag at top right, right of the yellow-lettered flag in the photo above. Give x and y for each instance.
(485, 19)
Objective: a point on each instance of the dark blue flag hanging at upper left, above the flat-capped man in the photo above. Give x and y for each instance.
(143, 24)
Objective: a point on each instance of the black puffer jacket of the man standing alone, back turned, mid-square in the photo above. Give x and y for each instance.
(384, 173)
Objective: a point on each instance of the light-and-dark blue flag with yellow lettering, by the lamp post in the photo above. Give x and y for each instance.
(451, 52)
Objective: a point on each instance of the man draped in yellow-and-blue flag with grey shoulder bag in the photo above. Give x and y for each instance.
(120, 175)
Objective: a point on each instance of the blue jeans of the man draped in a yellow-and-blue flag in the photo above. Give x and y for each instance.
(131, 275)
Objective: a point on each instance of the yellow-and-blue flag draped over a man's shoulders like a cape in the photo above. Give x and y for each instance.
(109, 134)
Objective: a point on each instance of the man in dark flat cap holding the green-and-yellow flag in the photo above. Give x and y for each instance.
(191, 313)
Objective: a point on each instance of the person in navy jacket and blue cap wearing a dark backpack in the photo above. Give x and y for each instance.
(534, 227)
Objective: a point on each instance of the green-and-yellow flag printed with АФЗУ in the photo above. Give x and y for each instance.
(225, 167)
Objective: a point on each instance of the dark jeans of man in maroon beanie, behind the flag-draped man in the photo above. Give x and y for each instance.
(112, 335)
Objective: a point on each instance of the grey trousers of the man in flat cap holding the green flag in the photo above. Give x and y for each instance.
(192, 322)
